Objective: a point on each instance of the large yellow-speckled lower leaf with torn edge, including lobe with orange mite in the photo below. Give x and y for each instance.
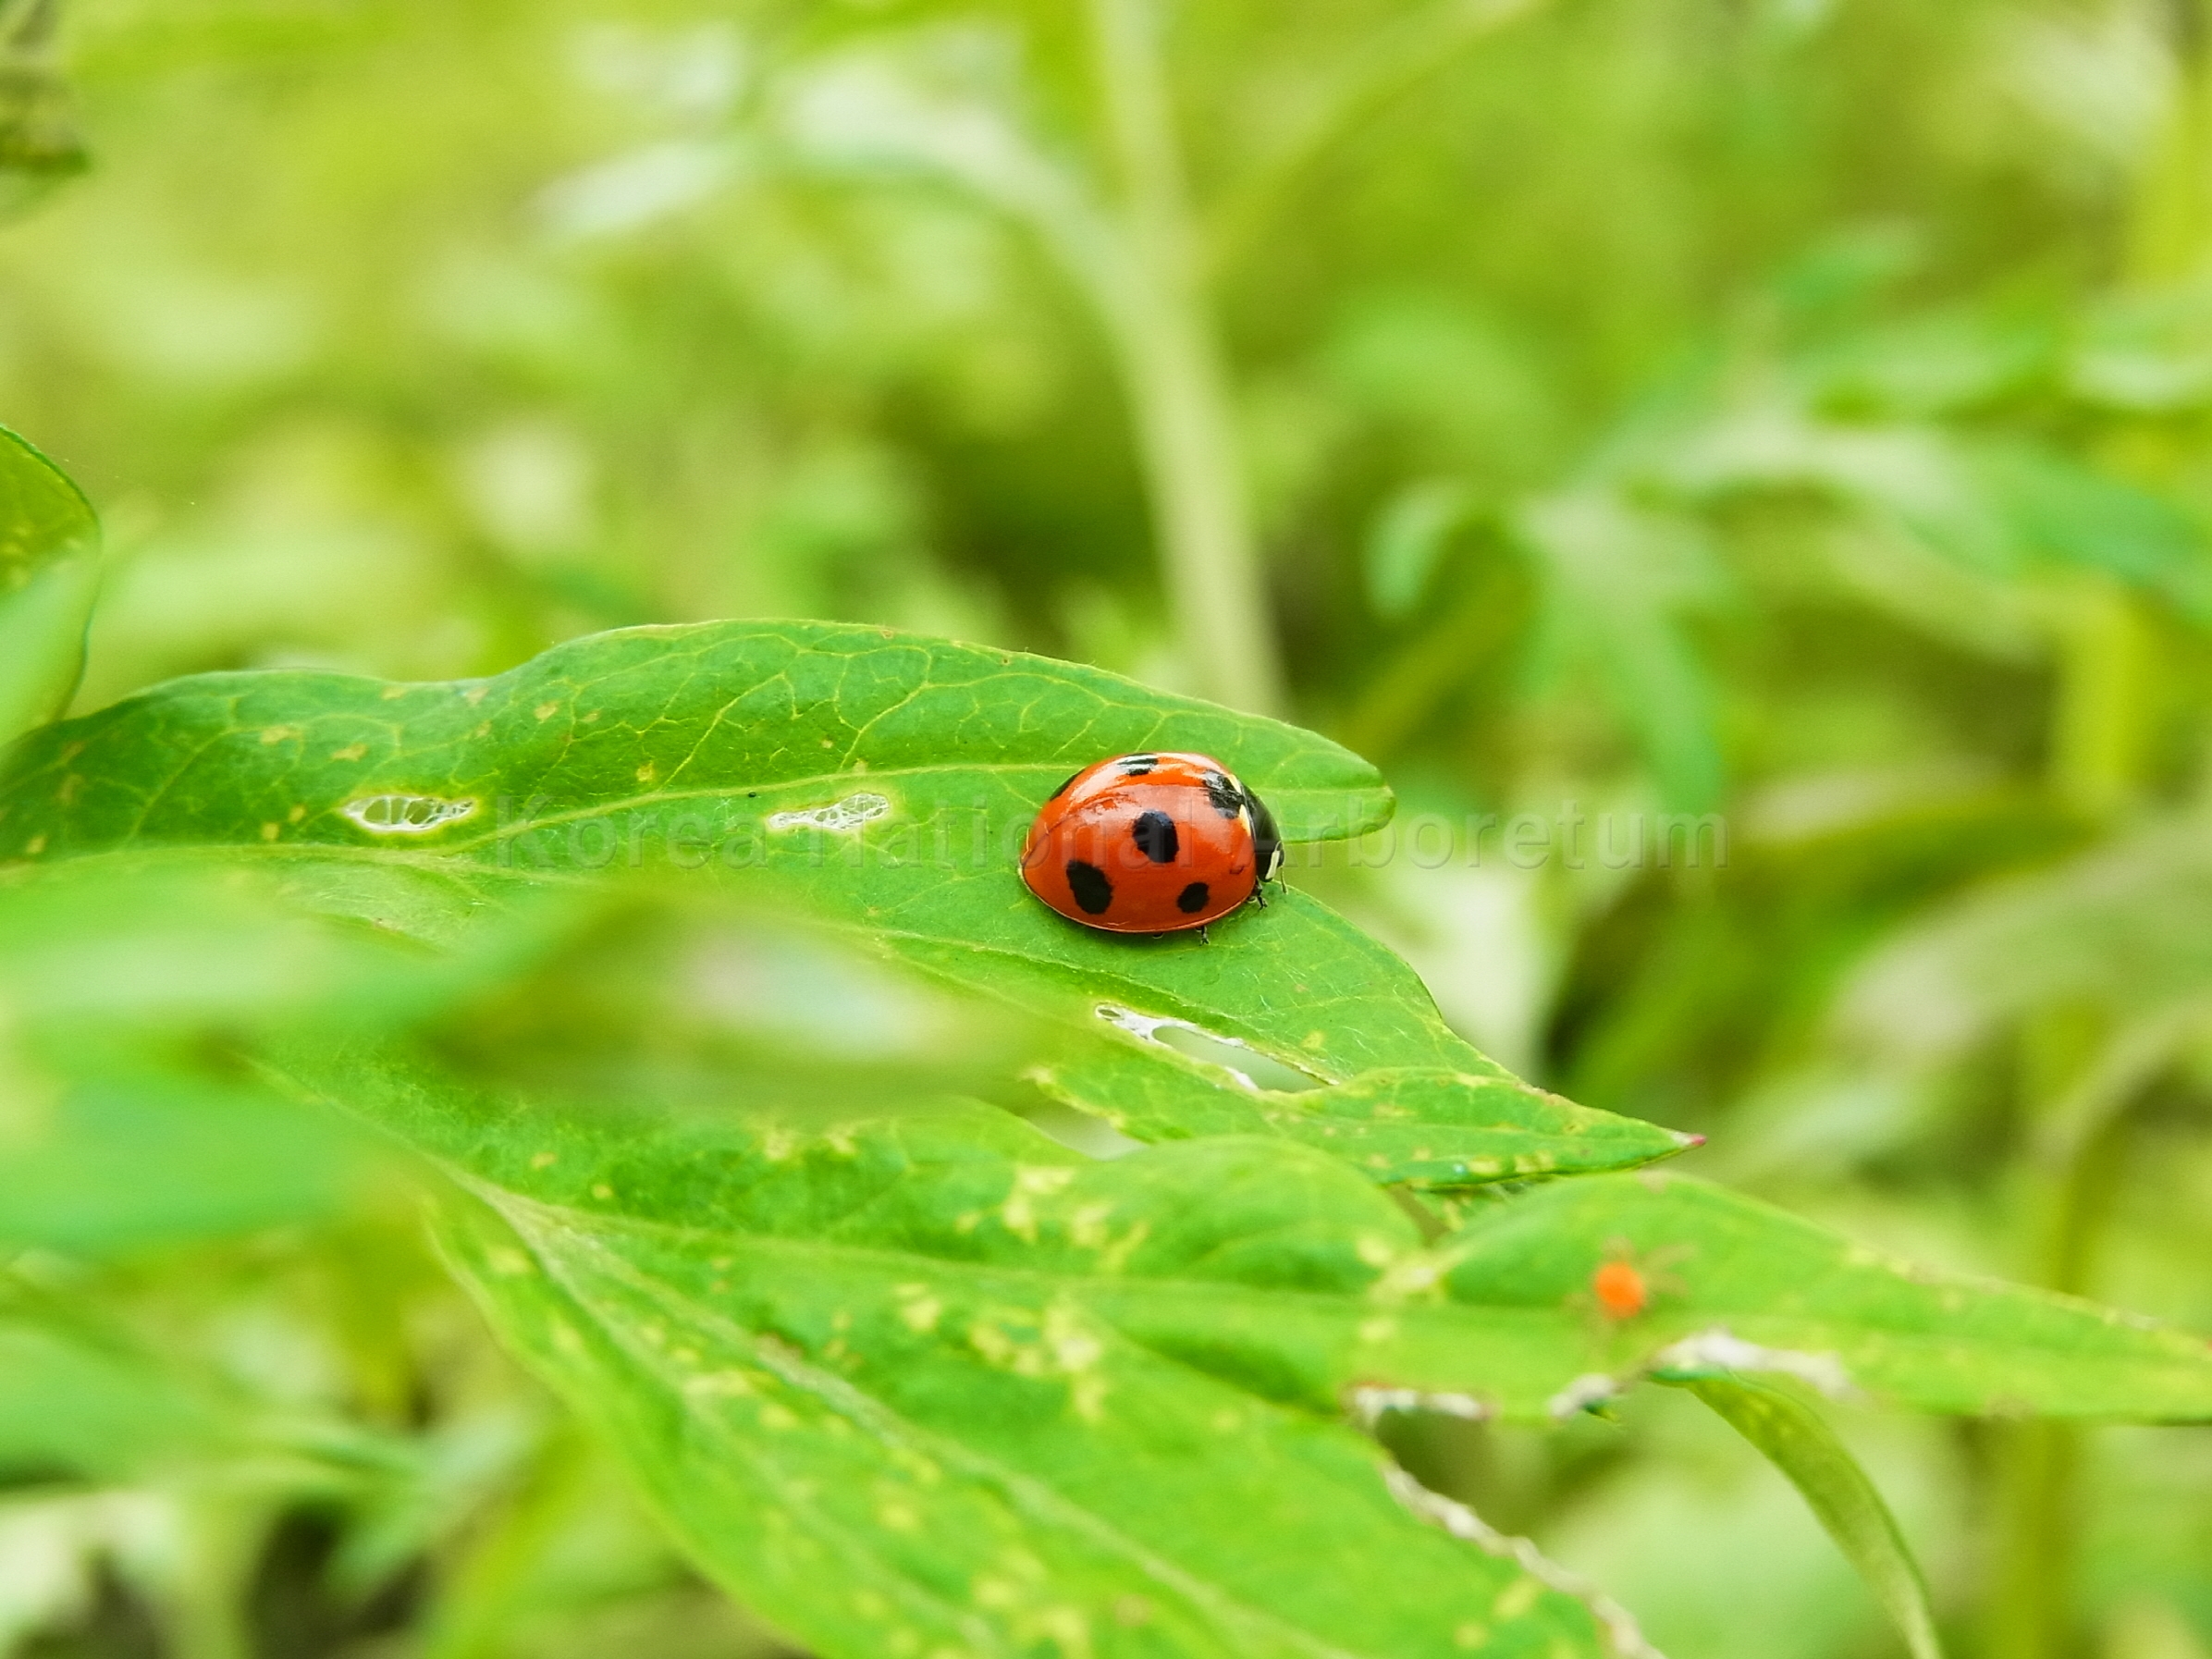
(857, 1361)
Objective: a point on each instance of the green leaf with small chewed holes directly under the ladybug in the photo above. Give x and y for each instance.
(877, 780)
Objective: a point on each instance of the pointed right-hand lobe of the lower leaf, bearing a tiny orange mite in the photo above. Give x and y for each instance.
(1740, 1286)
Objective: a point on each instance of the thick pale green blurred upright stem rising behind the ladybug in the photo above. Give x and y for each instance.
(1171, 364)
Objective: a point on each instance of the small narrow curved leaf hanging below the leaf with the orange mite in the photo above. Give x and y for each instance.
(1824, 1470)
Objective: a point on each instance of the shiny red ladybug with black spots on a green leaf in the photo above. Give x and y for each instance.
(1151, 844)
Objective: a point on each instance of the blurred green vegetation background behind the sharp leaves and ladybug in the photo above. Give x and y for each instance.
(1793, 410)
